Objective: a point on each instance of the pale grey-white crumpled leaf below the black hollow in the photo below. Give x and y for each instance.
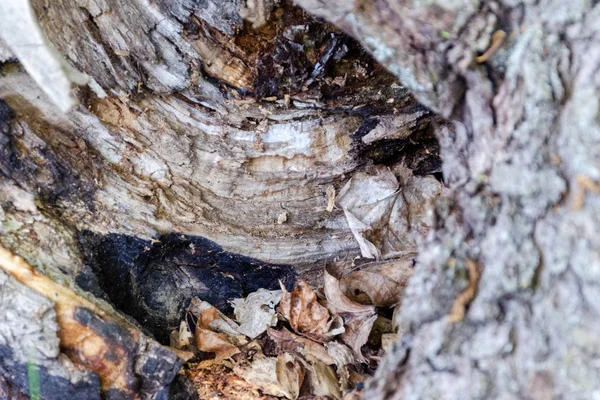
(256, 312)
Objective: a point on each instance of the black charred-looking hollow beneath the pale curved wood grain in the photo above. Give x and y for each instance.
(154, 281)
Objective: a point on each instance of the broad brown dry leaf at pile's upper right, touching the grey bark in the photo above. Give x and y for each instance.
(380, 284)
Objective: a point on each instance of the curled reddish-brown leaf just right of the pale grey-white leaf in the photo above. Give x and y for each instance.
(302, 309)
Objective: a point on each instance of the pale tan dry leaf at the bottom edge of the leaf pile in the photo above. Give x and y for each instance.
(262, 373)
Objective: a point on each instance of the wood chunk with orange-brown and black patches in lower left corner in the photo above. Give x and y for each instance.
(55, 344)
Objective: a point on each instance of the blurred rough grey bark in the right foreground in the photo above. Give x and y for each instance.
(523, 164)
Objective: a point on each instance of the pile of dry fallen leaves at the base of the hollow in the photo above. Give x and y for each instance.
(299, 344)
